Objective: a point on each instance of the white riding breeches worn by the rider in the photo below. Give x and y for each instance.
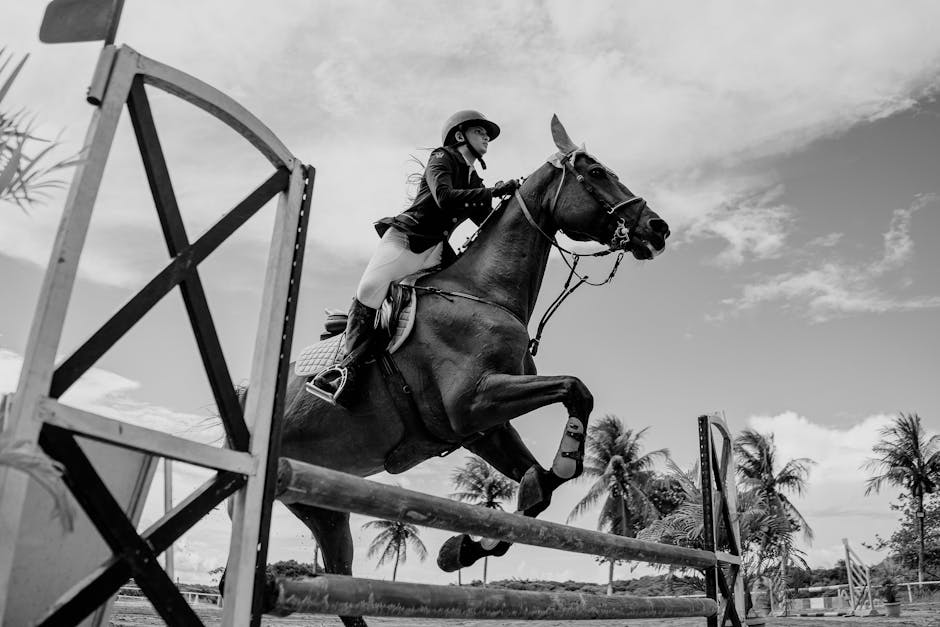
(393, 261)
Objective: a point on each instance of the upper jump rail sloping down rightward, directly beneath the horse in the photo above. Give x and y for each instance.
(304, 483)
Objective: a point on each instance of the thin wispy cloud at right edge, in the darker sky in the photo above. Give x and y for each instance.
(837, 287)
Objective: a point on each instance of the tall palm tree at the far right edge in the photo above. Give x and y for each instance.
(907, 458)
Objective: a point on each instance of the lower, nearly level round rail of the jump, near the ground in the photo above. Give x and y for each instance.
(349, 596)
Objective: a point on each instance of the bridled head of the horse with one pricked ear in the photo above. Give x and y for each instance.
(591, 203)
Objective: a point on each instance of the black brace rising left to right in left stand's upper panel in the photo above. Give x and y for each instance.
(172, 275)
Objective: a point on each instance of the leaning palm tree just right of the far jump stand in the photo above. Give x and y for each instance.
(758, 472)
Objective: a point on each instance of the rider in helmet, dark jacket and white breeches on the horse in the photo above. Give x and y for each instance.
(450, 191)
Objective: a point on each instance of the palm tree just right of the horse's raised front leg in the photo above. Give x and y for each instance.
(622, 476)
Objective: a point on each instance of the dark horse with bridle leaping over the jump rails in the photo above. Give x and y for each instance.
(467, 360)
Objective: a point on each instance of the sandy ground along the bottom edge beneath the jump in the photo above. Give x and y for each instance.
(127, 614)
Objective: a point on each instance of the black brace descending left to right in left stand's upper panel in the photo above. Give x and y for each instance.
(194, 296)
